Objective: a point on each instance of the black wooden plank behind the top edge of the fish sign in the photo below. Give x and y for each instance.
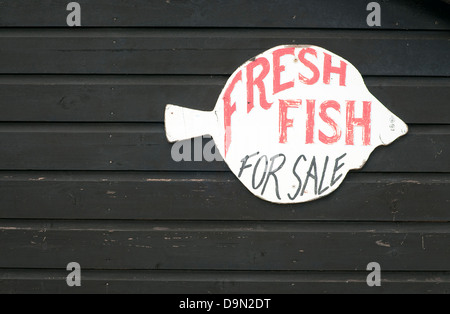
(211, 51)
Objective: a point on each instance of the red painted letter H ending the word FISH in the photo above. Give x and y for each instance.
(363, 122)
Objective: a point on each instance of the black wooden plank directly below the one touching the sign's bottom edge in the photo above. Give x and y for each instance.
(215, 245)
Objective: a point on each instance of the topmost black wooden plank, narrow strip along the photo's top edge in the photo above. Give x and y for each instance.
(396, 14)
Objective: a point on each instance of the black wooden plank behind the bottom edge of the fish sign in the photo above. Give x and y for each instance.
(212, 196)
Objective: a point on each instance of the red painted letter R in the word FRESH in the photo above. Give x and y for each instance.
(251, 82)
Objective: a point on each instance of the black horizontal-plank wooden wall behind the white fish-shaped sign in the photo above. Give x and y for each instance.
(86, 173)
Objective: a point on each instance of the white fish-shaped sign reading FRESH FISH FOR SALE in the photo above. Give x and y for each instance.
(291, 122)
